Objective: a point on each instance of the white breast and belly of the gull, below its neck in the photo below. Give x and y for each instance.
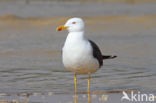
(78, 58)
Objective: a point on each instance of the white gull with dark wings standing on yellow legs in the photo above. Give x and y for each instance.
(80, 55)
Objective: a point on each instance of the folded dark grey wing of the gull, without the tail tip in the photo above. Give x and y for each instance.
(97, 53)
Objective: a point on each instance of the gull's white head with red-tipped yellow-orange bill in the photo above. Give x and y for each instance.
(73, 25)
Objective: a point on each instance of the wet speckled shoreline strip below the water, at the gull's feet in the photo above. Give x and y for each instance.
(67, 98)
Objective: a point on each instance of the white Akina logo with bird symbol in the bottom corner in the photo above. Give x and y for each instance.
(137, 97)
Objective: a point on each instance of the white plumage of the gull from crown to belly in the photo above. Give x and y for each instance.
(77, 51)
